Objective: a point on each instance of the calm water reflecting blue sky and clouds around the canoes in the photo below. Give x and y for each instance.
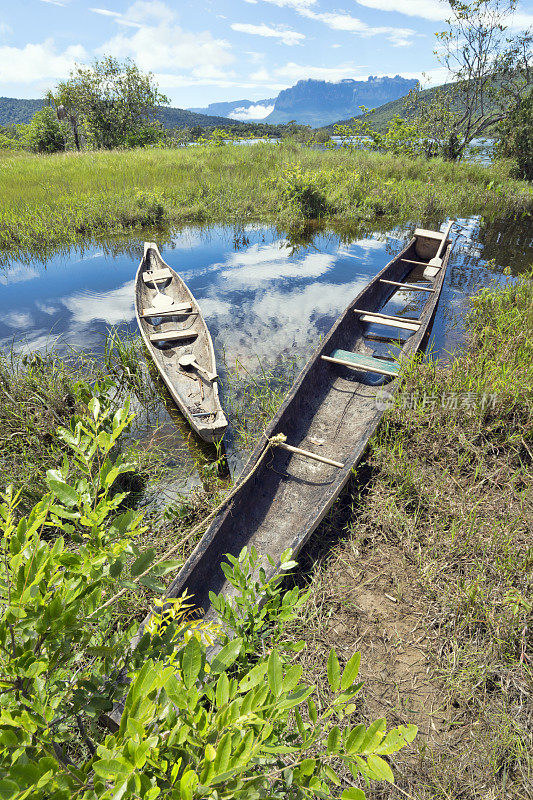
(262, 297)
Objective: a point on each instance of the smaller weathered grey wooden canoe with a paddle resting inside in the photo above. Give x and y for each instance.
(173, 327)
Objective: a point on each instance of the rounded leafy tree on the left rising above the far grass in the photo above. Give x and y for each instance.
(112, 103)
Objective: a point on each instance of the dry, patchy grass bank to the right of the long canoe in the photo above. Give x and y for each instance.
(432, 579)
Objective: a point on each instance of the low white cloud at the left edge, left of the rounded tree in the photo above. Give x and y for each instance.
(25, 64)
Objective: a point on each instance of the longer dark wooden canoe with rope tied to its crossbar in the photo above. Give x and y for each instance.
(332, 410)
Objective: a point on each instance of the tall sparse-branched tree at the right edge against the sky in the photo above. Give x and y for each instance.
(490, 70)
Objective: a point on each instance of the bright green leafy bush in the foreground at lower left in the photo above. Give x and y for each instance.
(191, 727)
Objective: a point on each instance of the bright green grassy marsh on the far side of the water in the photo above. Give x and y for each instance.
(49, 201)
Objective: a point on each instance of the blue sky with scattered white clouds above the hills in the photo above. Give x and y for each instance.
(204, 51)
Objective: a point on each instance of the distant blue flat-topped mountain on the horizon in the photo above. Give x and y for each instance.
(319, 103)
